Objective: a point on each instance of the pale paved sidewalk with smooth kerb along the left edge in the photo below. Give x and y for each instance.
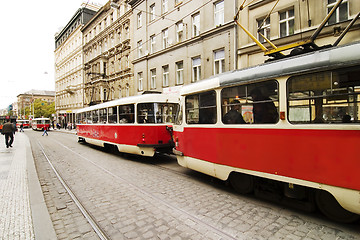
(23, 213)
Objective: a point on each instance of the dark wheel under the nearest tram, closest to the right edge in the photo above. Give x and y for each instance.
(330, 207)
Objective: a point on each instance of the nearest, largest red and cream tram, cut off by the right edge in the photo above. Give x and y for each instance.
(297, 137)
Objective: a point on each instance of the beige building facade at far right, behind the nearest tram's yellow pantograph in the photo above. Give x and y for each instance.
(292, 21)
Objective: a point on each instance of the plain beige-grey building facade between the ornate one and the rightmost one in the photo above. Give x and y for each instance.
(180, 42)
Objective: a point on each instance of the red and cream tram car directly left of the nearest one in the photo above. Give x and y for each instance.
(137, 125)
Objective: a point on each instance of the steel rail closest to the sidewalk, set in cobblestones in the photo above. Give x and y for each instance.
(91, 220)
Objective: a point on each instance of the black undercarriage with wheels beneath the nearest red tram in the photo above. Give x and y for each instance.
(292, 195)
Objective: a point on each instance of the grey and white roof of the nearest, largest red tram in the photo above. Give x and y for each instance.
(334, 57)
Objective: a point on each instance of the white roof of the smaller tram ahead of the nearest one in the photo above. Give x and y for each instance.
(145, 98)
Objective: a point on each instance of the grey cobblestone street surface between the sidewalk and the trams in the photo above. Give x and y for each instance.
(141, 198)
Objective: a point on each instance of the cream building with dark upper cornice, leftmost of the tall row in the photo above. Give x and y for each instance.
(69, 65)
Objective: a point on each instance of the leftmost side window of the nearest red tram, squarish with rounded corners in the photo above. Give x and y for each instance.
(201, 108)
